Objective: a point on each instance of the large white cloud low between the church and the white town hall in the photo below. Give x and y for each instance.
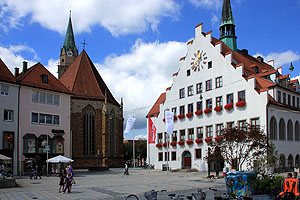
(141, 75)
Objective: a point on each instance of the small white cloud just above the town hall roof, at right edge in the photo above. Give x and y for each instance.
(280, 58)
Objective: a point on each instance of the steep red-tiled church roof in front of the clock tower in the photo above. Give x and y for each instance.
(83, 79)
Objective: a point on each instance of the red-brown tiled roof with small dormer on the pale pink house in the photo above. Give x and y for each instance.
(33, 77)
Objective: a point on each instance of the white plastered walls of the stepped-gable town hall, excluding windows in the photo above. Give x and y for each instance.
(233, 81)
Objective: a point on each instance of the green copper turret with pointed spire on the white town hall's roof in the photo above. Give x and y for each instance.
(227, 27)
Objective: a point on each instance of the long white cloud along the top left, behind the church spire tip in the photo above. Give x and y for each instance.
(118, 17)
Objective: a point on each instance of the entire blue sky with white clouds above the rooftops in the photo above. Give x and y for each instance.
(136, 45)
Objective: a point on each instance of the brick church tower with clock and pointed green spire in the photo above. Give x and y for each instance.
(68, 52)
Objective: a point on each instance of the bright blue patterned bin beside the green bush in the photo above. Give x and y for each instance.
(240, 184)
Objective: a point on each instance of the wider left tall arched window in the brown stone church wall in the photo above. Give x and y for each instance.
(89, 130)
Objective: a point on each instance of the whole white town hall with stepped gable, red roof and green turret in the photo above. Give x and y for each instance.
(216, 86)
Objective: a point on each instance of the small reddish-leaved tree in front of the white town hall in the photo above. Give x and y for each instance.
(239, 145)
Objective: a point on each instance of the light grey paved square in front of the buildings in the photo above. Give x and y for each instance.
(111, 185)
